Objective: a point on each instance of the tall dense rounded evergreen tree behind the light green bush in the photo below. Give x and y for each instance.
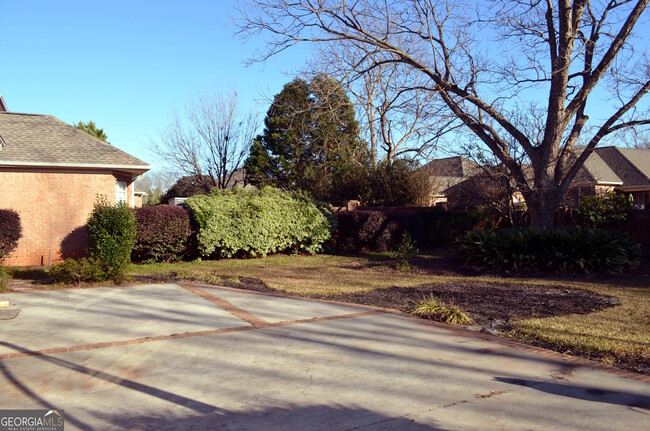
(310, 142)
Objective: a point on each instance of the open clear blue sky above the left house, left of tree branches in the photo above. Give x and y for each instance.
(127, 64)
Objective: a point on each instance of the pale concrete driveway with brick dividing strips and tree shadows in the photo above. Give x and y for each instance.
(194, 357)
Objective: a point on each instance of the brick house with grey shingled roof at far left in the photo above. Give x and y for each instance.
(51, 174)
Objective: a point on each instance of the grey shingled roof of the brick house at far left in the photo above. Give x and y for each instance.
(45, 141)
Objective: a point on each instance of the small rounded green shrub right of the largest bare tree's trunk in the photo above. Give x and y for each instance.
(602, 210)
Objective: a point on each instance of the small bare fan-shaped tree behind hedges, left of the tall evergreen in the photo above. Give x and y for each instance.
(210, 140)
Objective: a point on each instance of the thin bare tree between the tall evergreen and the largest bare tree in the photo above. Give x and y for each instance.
(398, 116)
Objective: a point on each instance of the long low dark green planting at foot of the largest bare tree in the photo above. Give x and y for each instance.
(574, 249)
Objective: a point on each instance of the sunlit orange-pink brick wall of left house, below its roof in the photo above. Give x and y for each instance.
(53, 208)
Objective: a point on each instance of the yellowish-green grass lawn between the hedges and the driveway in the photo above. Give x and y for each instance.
(617, 335)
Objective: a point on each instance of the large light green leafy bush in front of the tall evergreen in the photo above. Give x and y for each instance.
(258, 222)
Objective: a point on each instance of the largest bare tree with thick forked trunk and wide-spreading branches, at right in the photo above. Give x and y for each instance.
(556, 57)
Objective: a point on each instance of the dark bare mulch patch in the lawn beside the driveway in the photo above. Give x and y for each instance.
(489, 301)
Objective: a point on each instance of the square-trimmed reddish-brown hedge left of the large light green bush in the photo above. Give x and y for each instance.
(162, 234)
